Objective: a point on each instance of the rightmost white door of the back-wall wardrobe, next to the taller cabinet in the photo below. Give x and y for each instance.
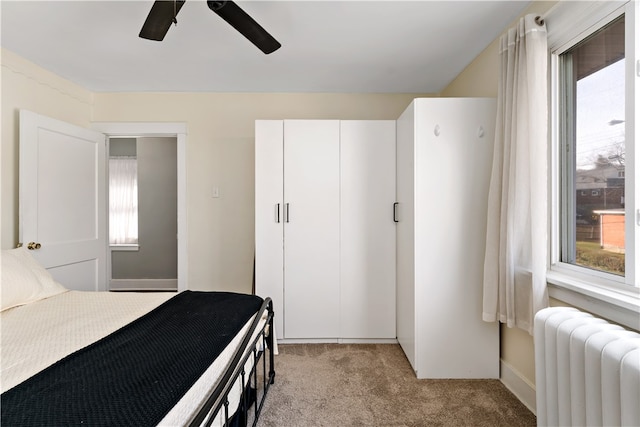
(367, 229)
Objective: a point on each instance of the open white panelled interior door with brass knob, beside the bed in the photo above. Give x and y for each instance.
(63, 199)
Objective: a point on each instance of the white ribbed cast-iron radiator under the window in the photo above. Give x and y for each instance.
(587, 370)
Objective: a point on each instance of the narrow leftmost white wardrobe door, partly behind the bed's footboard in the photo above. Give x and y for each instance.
(269, 216)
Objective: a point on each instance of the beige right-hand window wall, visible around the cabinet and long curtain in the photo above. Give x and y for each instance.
(480, 78)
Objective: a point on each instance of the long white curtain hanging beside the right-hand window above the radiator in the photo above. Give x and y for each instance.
(515, 265)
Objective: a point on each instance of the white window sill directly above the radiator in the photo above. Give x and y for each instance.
(619, 306)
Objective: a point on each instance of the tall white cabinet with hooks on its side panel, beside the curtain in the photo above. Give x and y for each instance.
(444, 152)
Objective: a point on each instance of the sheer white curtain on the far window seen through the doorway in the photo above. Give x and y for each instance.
(123, 200)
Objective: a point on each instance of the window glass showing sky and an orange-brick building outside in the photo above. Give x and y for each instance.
(593, 234)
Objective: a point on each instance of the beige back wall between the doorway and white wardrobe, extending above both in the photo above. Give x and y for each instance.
(220, 152)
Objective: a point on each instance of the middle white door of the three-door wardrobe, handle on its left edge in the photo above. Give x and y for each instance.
(312, 228)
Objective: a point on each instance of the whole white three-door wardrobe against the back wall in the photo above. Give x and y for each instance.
(325, 231)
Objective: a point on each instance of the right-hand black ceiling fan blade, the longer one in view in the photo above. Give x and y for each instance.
(246, 25)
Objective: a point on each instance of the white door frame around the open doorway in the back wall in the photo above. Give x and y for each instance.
(154, 129)
